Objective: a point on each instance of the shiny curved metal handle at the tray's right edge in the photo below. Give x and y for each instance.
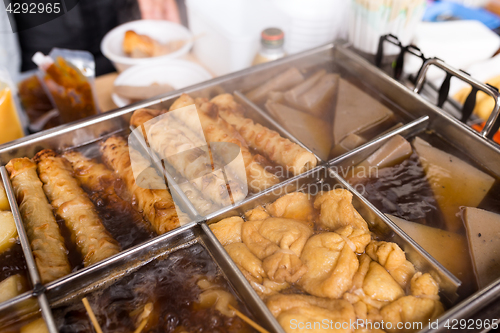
(493, 121)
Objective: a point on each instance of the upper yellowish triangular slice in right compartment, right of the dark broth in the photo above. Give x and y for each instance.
(454, 182)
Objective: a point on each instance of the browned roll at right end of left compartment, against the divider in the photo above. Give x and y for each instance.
(156, 205)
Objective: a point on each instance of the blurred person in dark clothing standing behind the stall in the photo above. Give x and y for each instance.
(84, 26)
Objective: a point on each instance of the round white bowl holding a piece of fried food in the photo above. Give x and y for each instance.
(161, 31)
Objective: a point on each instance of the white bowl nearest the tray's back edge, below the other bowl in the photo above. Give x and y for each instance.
(175, 72)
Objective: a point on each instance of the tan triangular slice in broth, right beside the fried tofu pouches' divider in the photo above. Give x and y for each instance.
(449, 248)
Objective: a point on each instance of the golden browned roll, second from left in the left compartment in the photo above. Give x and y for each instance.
(73, 205)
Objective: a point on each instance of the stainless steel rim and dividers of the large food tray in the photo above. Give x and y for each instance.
(418, 113)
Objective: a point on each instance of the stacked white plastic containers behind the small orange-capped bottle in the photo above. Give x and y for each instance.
(228, 31)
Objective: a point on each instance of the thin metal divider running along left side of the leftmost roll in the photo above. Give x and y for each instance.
(38, 288)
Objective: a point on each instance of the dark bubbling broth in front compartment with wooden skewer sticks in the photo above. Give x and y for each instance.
(170, 284)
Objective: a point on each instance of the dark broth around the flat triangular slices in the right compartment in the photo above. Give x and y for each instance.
(403, 191)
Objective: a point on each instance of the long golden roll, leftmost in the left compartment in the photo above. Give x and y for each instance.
(42, 229)
